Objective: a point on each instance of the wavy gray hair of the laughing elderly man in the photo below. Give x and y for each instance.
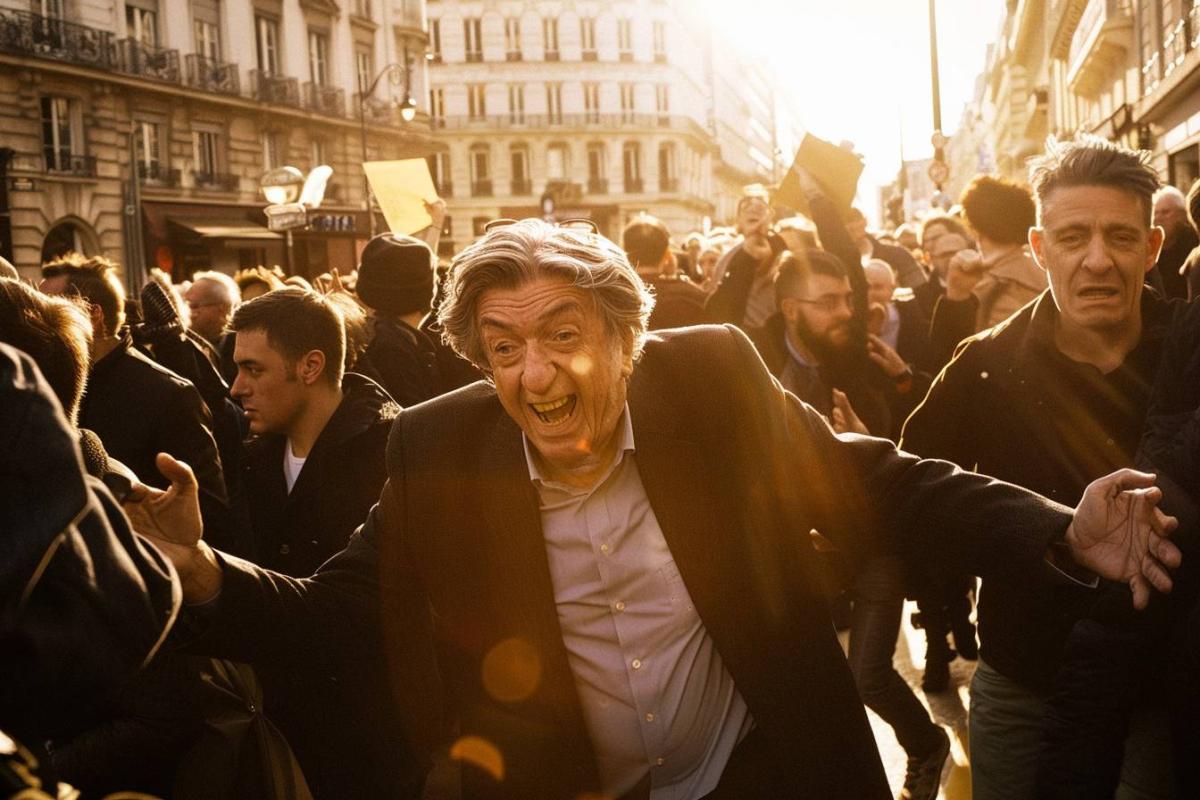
(532, 249)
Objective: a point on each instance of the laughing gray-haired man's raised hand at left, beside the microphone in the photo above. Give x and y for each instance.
(172, 522)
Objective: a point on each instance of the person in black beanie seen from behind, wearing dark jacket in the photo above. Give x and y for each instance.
(397, 282)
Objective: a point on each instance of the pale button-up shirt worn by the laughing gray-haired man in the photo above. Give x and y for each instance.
(655, 691)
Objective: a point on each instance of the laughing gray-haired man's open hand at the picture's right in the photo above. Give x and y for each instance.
(1120, 534)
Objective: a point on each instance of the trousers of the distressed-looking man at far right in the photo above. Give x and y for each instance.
(1007, 737)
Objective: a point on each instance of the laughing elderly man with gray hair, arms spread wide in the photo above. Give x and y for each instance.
(601, 556)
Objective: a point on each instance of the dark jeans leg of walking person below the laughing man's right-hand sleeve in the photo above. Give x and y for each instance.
(875, 624)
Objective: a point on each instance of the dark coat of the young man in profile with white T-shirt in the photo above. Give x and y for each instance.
(344, 731)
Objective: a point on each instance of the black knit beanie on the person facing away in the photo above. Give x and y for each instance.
(397, 275)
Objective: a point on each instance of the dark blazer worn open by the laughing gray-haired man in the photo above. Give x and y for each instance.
(739, 473)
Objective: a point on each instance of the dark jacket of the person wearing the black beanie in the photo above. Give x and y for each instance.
(405, 362)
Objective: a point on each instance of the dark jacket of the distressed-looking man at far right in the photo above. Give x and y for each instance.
(1012, 406)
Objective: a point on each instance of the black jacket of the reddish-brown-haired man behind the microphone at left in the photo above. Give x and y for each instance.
(140, 410)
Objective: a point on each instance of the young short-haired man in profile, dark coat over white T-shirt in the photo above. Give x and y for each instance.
(310, 477)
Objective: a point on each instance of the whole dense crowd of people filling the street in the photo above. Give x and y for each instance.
(568, 518)
